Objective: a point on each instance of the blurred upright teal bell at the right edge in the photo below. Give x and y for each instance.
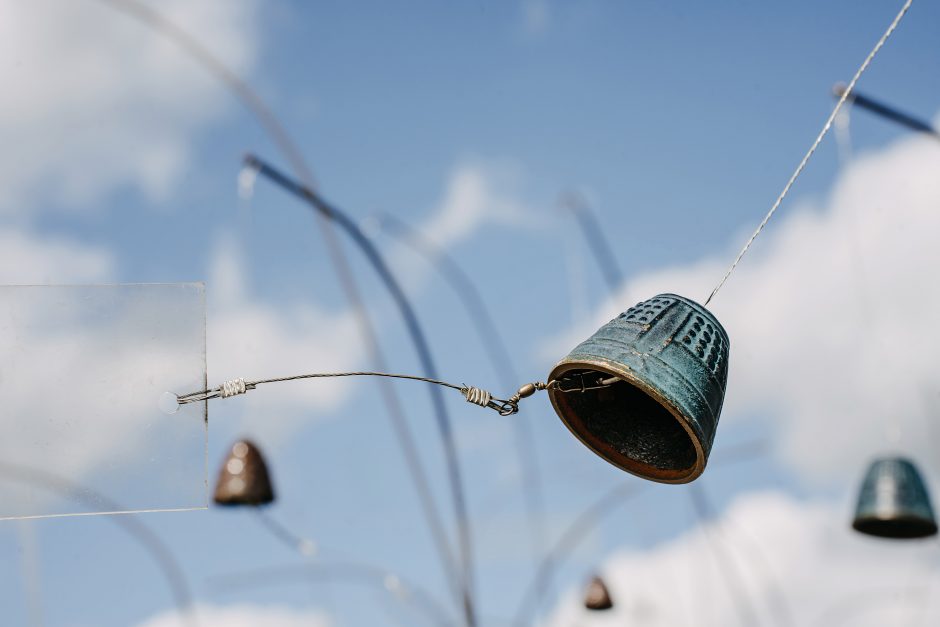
(893, 502)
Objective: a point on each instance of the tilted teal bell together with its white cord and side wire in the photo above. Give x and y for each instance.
(644, 392)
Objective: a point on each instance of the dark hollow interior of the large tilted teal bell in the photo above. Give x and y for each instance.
(631, 429)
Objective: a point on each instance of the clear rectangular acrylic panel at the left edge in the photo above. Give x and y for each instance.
(82, 373)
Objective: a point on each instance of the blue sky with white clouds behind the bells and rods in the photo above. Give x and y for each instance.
(121, 162)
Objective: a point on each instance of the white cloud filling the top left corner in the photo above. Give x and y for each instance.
(94, 100)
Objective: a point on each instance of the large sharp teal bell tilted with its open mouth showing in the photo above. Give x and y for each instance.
(645, 391)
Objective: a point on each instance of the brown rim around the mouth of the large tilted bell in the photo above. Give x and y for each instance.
(627, 375)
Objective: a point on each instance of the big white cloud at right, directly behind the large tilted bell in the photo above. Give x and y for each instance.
(832, 315)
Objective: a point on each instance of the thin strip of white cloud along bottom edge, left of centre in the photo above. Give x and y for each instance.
(244, 615)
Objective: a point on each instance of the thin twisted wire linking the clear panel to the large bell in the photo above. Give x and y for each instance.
(474, 395)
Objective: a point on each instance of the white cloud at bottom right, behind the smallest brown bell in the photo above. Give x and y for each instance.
(804, 553)
